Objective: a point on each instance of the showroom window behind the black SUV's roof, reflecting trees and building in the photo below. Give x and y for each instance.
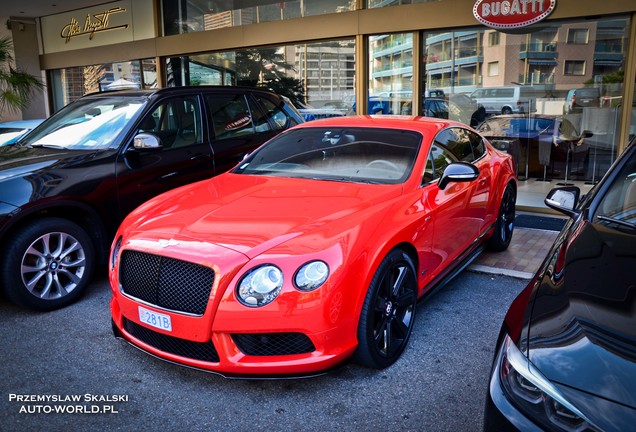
(318, 78)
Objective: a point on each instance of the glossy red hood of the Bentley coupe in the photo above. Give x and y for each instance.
(252, 214)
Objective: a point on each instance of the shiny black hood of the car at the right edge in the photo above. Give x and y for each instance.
(582, 331)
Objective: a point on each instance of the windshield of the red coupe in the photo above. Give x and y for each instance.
(366, 155)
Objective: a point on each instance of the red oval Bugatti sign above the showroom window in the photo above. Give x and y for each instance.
(511, 14)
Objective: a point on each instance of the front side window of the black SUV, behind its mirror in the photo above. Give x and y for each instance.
(176, 122)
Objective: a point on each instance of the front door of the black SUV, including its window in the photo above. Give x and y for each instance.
(184, 155)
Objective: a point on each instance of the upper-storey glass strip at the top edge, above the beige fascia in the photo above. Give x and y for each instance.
(187, 16)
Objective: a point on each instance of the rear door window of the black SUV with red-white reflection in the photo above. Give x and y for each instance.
(231, 115)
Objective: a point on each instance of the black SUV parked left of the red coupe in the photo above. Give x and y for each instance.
(65, 188)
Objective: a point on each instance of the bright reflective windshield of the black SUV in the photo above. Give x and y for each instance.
(87, 124)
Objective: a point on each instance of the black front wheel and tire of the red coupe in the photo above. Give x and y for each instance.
(388, 312)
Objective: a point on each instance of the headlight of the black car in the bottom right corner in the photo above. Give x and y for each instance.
(534, 394)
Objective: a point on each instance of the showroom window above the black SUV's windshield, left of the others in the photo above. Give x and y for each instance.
(72, 83)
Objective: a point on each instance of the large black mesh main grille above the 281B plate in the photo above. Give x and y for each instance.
(166, 282)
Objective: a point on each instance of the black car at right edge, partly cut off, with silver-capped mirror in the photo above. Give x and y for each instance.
(566, 354)
